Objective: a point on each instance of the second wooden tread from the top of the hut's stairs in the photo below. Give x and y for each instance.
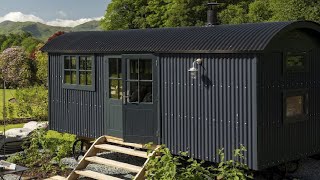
(123, 150)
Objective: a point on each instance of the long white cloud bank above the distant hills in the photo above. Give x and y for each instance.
(20, 17)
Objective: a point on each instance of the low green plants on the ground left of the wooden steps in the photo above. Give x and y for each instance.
(43, 150)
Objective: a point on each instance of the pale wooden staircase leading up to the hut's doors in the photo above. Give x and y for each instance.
(105, 143)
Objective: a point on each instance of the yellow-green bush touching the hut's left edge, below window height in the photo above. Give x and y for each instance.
(30, 102)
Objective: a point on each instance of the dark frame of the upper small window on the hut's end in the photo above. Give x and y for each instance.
(286, 69)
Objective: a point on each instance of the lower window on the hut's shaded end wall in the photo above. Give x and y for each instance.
(295, 106)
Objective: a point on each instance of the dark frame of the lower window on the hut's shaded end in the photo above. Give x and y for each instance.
(297, 118)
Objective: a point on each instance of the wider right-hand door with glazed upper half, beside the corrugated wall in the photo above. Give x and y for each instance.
(140, 102)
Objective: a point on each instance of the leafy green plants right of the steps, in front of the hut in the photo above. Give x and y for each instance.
(181, 167)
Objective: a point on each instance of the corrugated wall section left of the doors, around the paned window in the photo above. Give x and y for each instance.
(76, 111)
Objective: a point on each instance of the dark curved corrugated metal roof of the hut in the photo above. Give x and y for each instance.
(221, 38)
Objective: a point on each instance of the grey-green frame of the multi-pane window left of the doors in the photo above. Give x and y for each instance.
(79, 86)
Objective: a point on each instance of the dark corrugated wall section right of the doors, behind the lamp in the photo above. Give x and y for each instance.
(217, 110)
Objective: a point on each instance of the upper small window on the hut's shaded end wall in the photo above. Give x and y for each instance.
(295, 61)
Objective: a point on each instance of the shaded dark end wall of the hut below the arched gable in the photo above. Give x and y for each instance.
(279, 142)
